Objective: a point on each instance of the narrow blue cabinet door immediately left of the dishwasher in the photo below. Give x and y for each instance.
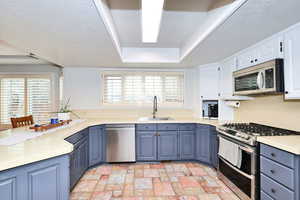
(96, 145)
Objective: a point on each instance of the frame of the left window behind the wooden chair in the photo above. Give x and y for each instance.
(28, 76)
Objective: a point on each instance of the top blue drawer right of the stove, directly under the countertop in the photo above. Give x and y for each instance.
(277, 155)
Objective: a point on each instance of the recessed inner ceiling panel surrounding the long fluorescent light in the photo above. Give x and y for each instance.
(176, 27)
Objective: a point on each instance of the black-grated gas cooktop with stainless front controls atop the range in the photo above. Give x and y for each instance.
(248, 132)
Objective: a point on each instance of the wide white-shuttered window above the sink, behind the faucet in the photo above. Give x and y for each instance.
(140, 87)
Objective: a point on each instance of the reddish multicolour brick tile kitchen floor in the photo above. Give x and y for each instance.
(163, 181)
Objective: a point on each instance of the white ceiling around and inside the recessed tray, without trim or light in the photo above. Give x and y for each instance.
(72, 33)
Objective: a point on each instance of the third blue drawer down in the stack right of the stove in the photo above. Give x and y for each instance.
(275, 190)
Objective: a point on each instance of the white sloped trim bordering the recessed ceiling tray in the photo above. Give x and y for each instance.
(215, 18)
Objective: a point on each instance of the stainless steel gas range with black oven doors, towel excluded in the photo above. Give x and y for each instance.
(244, 181)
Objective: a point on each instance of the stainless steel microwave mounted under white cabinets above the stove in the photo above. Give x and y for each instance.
(267, 77)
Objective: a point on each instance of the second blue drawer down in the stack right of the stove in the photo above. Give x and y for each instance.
(278, 172)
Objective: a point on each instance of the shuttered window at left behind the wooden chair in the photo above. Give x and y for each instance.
(24, 95)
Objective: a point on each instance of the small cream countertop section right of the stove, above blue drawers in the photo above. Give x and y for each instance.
(290, 143)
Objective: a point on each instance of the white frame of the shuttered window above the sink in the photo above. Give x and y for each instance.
(142, 104)
